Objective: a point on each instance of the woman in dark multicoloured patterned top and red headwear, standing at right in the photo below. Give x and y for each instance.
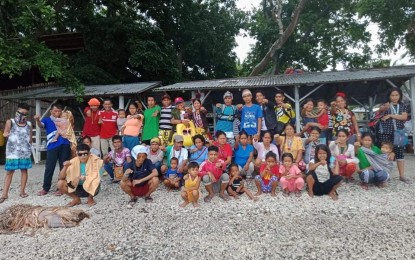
(343, 118)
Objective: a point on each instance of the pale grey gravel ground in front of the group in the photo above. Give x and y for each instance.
(374, 224)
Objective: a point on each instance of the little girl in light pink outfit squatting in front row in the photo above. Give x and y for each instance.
(291, 179)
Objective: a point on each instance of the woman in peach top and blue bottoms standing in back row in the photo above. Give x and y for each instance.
(132, 127)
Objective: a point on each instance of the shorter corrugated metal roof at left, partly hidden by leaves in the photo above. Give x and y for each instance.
(90, 91)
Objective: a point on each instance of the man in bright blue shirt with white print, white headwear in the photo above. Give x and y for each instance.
(251, 116)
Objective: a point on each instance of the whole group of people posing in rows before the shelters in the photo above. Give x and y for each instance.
(172, 145)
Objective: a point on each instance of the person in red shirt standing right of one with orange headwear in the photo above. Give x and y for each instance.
(108, 121)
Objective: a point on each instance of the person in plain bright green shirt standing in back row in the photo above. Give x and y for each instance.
(151, 120)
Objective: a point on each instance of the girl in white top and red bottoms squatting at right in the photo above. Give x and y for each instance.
(344, 154)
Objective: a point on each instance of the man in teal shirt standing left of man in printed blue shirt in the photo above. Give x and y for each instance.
(226, 114)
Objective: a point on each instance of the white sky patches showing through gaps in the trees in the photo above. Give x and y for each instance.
(244, 43)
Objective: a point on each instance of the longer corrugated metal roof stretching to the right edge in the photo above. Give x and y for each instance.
(310, 78)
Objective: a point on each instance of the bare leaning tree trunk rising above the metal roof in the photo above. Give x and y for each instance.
(260, 67)
